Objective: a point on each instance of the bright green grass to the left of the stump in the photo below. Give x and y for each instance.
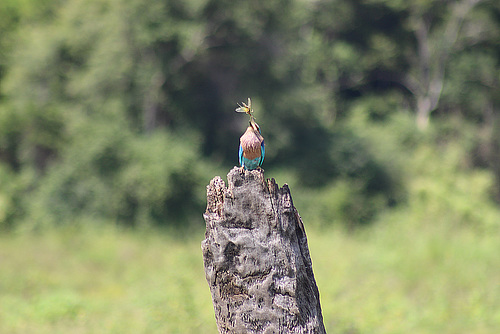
(103, 280)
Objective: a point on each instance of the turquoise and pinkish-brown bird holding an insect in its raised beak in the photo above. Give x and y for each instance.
(252, 147)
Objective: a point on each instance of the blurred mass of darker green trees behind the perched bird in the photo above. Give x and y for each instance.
(107, 104)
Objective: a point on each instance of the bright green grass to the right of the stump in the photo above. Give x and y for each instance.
(395, 279)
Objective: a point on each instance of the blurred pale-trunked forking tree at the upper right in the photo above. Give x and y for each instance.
(438, 30)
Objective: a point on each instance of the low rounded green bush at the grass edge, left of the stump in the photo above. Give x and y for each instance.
(121, 178)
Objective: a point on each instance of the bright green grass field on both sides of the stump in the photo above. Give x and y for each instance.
(389, 278)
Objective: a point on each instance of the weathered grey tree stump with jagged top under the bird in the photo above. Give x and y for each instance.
(256, 258)
